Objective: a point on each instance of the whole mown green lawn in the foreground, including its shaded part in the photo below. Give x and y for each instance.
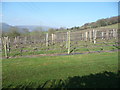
(88, 70)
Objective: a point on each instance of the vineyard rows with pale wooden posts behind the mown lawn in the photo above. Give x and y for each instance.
(61, 43)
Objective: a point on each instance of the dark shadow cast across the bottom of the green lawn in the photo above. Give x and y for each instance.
(99, 80)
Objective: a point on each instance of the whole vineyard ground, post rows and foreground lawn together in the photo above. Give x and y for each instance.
(63, 59)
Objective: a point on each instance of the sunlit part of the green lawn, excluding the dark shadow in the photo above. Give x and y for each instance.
(38, 70)
